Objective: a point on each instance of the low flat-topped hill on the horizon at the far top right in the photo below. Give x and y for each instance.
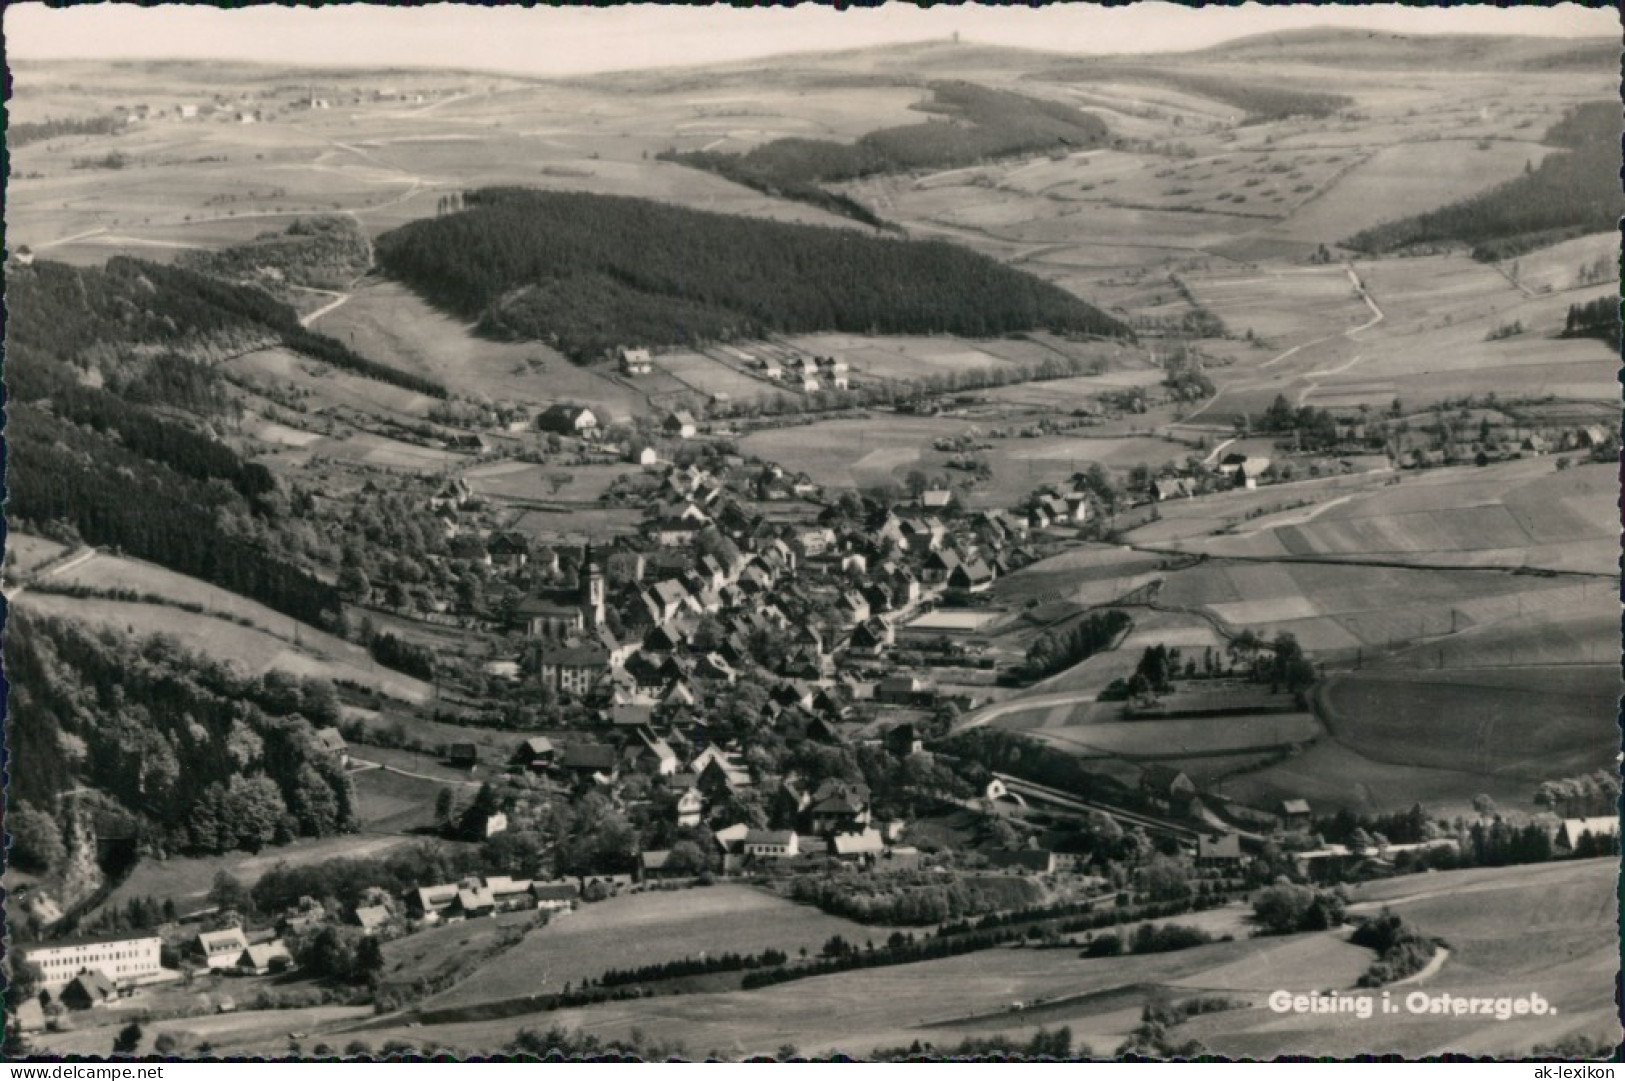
(1380, 51)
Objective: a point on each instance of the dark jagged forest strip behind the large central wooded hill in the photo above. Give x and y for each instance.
(976, 124)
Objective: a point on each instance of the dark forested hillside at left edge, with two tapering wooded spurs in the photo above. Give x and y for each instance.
(110, 414)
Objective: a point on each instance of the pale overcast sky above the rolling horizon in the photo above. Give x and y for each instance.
(552, 41)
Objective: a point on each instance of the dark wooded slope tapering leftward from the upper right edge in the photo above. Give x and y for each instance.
(1567, 196)
